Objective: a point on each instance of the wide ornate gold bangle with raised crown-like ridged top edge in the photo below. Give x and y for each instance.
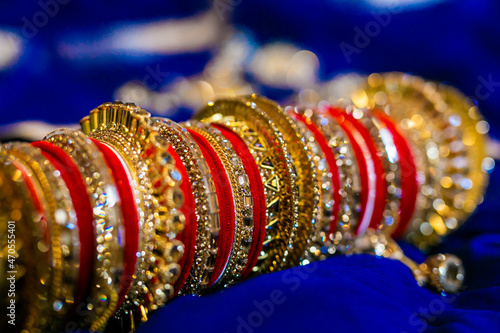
(125, 128)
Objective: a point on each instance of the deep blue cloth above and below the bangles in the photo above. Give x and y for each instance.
(453, 41)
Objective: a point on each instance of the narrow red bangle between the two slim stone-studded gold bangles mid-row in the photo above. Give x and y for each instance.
(226, 206)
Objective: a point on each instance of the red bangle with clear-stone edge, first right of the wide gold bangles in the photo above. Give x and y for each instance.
(330, 197)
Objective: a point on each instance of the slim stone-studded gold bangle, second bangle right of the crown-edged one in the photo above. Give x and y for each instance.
(207, 206)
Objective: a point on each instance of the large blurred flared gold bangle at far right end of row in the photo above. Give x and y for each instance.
(450, 134)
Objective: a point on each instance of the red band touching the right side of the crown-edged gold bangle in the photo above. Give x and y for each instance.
(188, 235)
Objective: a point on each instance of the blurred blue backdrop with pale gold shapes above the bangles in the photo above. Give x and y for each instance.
(61, 58)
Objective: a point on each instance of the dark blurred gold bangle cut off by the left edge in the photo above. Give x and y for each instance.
(25, 258)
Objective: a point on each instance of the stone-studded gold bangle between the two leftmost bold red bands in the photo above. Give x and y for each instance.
(107, 227)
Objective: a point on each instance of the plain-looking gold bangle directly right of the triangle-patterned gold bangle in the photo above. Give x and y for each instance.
(307, 178)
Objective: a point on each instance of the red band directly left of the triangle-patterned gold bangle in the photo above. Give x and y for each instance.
(258, 196)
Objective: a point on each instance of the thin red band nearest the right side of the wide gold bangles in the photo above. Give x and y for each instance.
(330, 158)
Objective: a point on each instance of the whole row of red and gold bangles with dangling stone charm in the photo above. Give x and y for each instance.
(104, 225)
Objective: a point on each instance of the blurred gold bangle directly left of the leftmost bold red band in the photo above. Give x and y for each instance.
(57, 207)
